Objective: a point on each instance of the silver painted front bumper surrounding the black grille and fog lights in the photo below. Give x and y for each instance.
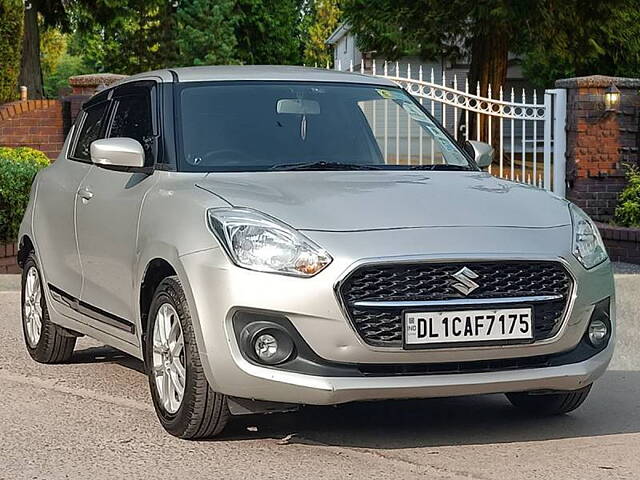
(217, 290)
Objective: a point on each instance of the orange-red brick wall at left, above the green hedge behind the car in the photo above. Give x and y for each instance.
(33, 123)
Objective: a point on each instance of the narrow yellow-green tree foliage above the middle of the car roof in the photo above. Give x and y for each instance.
(324, 19)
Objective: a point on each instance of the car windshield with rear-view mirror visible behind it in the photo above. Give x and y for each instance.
(261, 126)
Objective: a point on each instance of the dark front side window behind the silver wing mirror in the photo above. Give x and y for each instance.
(132, 119)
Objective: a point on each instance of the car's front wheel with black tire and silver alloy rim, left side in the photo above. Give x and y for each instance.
(186, 405)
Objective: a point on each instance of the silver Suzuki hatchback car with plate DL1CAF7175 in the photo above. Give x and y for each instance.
(268, 237)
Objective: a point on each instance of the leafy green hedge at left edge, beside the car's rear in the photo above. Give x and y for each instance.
(18, 167)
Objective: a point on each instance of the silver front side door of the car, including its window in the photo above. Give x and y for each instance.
(107, 223)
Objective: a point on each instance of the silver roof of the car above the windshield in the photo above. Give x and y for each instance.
(257, 73)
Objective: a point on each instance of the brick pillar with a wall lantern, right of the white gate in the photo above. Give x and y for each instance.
(599, 143)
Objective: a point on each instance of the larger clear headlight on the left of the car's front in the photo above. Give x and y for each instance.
(259, 242)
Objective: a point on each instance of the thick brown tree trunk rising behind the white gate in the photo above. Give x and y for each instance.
(489, 61)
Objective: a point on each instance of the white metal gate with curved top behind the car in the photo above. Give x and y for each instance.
(532, 141)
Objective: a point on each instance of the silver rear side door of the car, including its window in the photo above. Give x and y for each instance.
(54, 223)
